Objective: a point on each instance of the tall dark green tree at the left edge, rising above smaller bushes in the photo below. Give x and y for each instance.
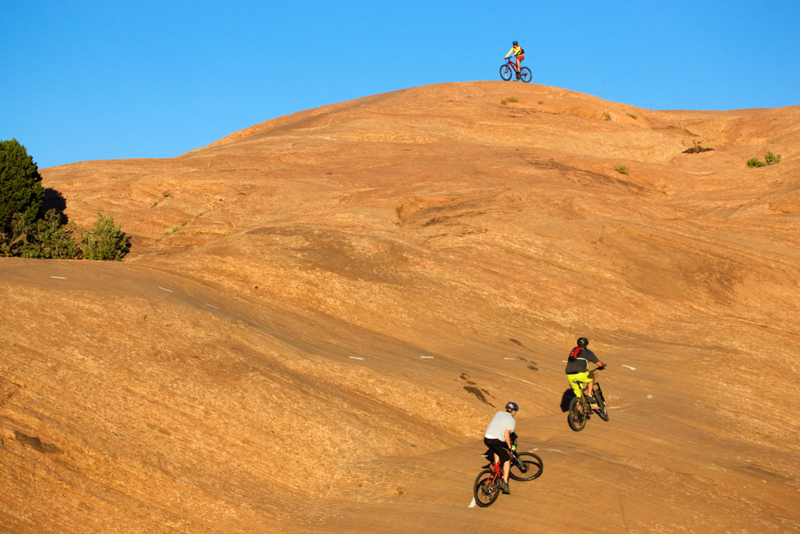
(21, 190)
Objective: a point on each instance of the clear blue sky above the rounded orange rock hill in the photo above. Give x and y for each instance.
(112, 79)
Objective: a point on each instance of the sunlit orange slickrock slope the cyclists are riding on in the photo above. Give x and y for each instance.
(321, 313)
